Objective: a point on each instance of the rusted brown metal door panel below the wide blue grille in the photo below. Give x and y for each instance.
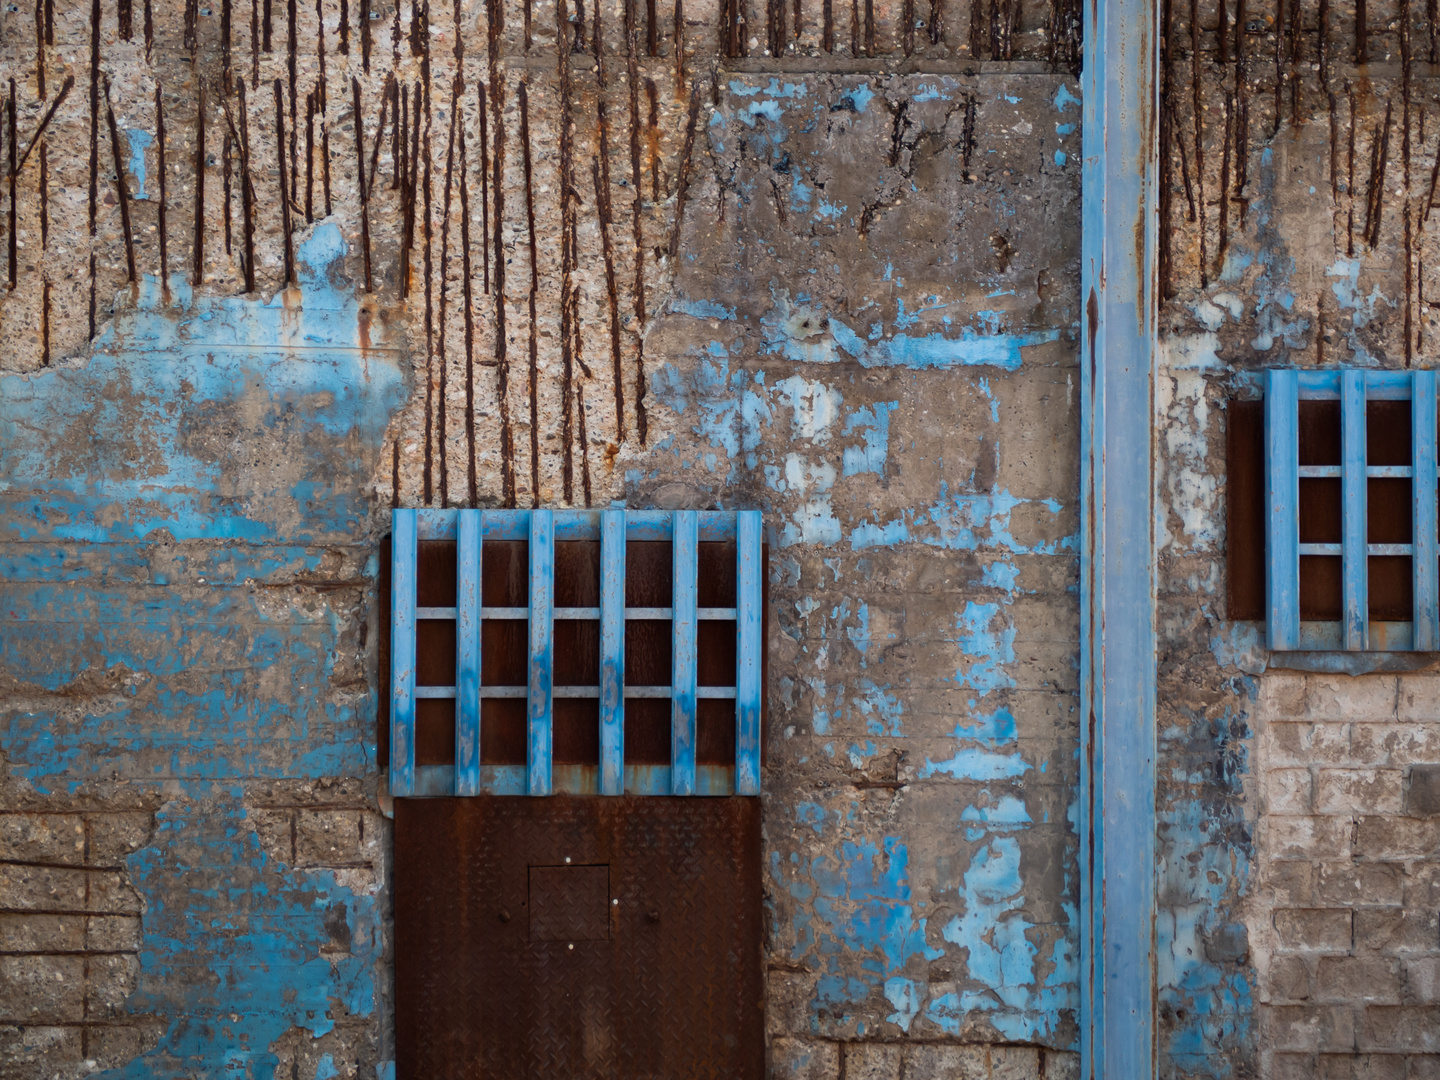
(578, 938)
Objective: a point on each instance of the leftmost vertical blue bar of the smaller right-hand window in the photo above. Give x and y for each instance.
(1282, 411)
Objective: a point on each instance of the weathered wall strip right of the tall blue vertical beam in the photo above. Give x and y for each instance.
(1298, 924)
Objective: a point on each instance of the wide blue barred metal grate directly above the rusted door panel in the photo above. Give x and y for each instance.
(459, 624)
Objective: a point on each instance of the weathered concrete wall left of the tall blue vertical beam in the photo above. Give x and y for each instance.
(839, 286)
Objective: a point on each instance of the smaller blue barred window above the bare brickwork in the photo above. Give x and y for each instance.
(1383, 515)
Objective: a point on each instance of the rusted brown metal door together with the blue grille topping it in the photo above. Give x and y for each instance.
(614, 662)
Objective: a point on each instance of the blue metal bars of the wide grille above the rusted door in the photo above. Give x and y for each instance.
(470, 529)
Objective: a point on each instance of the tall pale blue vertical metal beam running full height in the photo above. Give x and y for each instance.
(1120, 292)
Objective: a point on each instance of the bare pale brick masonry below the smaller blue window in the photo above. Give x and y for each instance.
(1346, 919)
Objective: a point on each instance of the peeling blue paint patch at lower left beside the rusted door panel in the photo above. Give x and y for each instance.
(237, 951)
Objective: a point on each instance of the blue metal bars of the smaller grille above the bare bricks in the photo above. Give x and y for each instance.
(1356, 631)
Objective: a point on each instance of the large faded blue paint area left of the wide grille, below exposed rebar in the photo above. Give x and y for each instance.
(211, 680)
